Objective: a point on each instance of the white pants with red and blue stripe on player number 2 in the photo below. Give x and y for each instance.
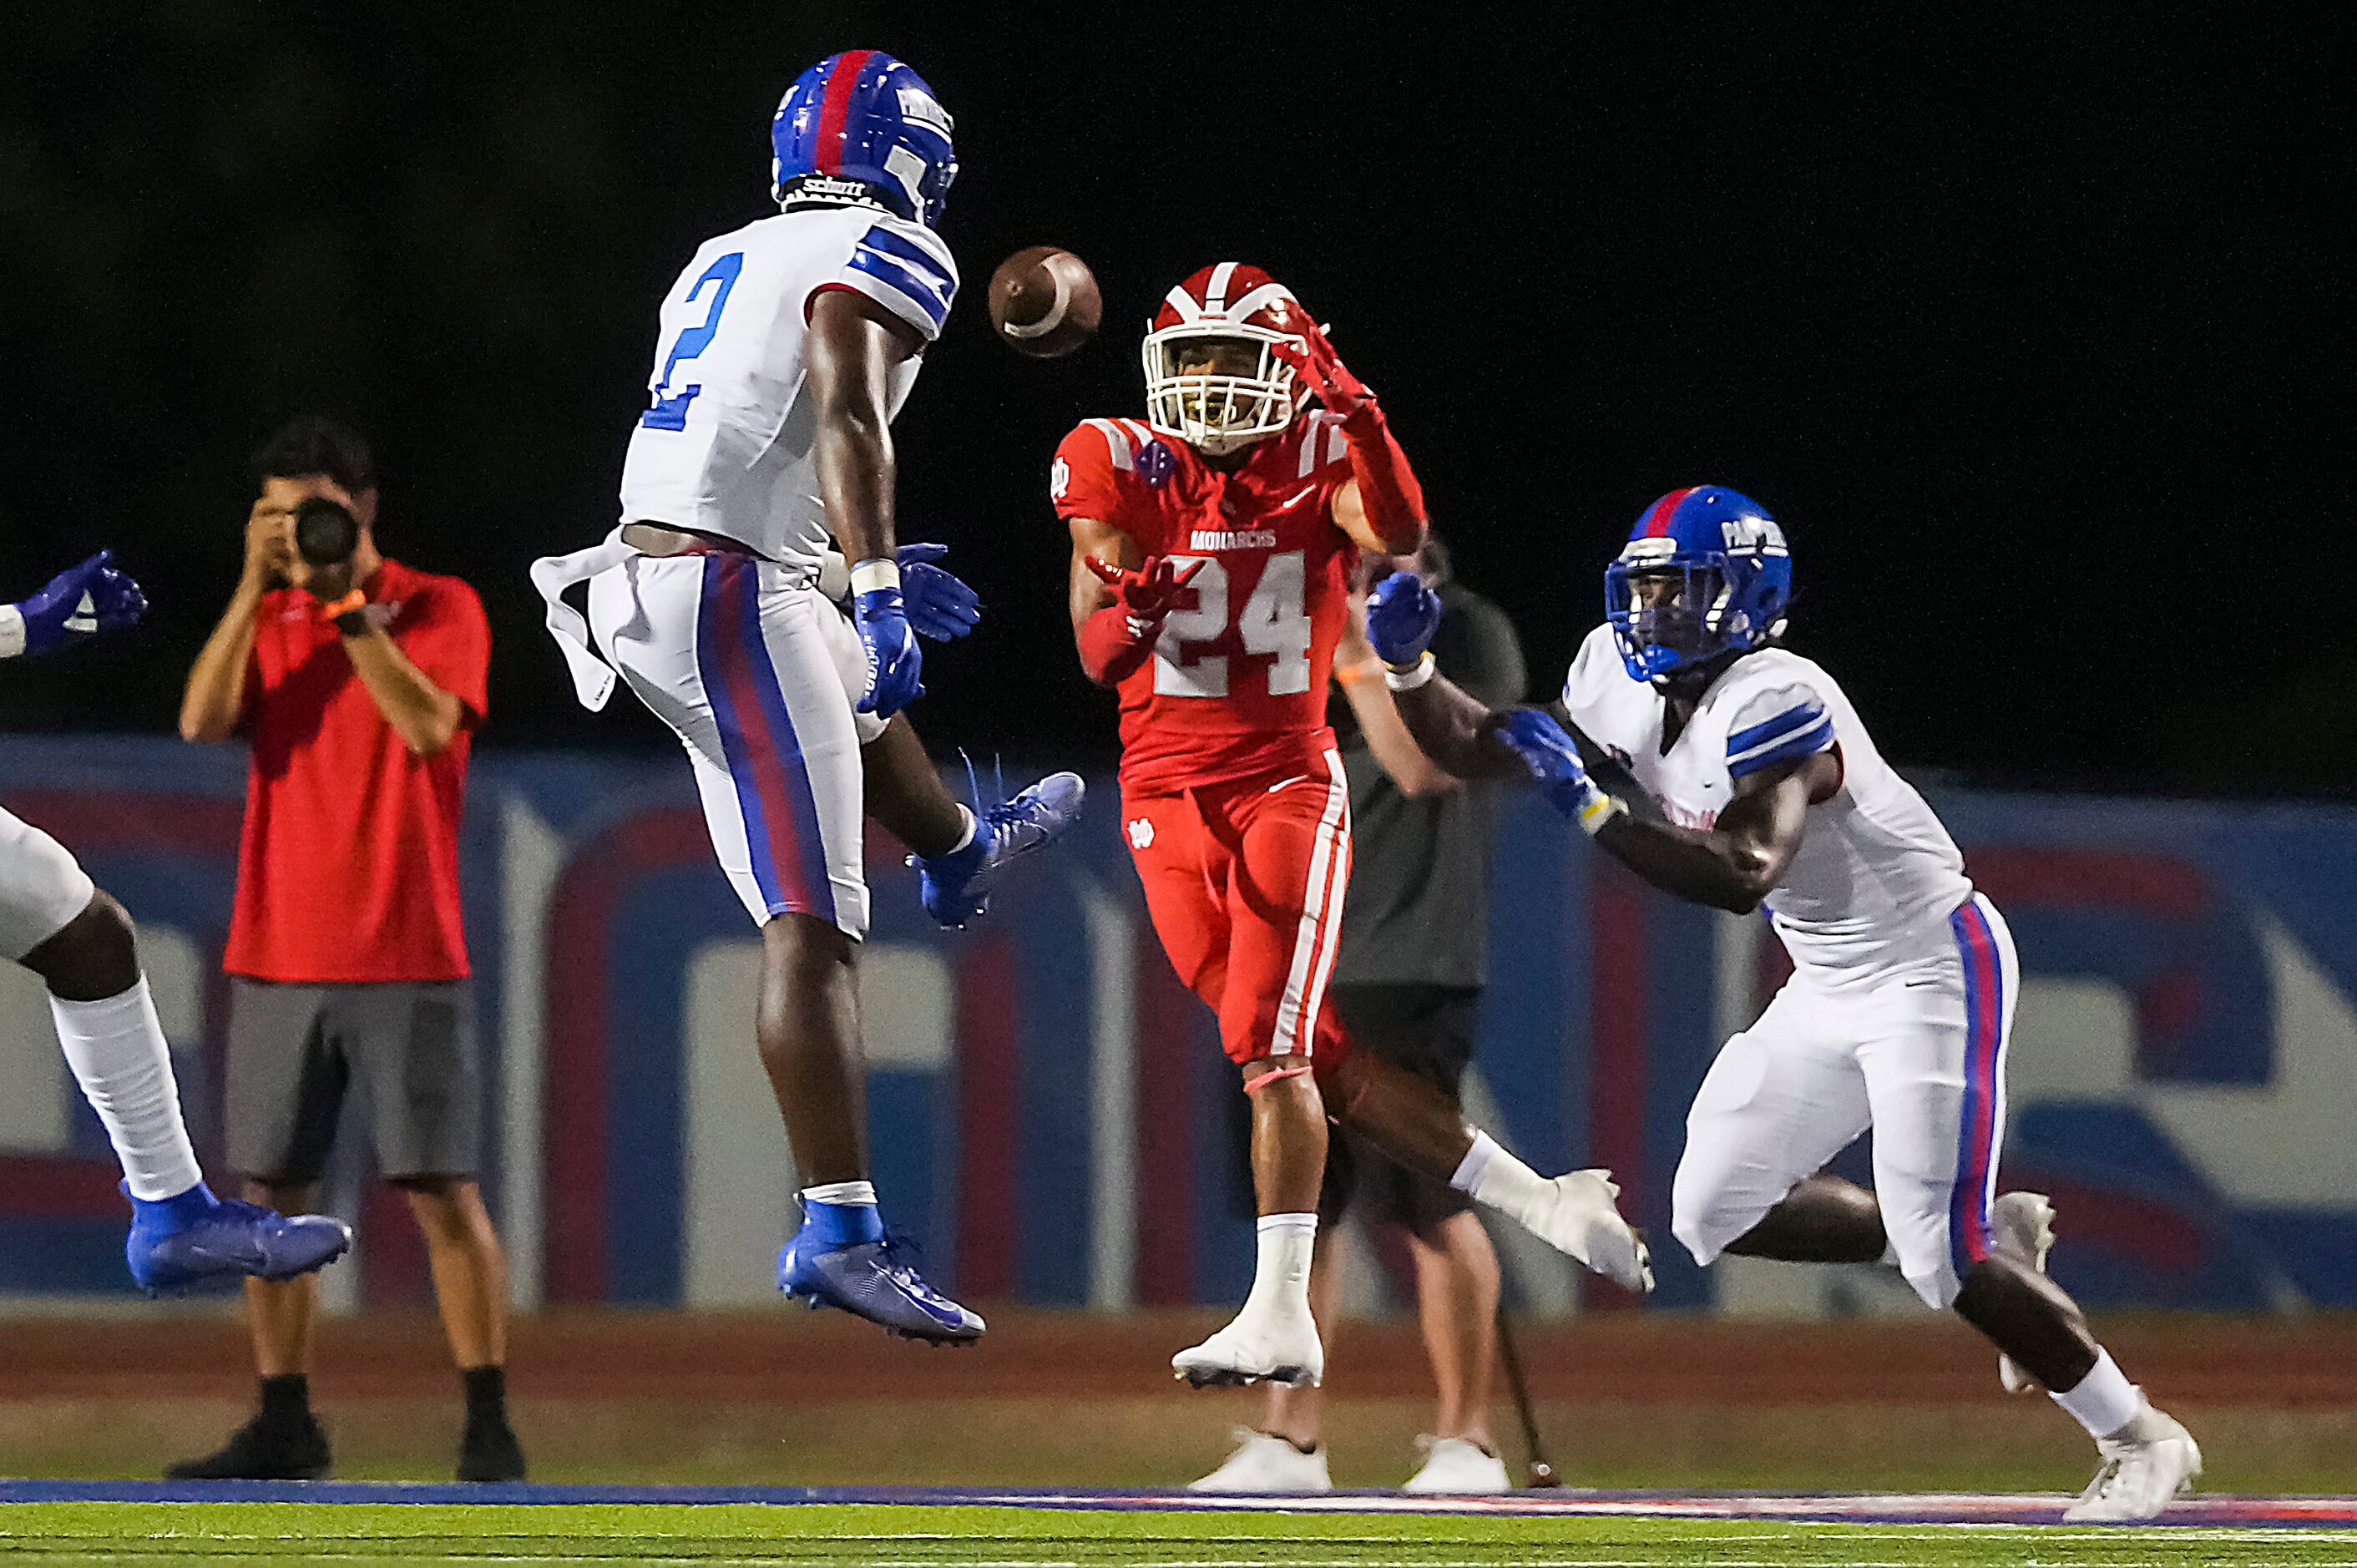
(758, 676)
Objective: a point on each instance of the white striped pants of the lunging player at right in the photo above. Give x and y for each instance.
(1917, 1053)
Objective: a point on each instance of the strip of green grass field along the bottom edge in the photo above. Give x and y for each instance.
(1038, 1539)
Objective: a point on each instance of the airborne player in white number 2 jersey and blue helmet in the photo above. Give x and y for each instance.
(786, 353)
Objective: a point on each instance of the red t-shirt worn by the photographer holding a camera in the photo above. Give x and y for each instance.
(350, 857)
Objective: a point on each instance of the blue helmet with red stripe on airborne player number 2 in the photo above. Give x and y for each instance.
(864, 117)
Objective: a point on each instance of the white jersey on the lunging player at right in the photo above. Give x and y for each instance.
(1875, 878)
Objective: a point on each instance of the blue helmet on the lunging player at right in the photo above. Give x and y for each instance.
(1705, 572)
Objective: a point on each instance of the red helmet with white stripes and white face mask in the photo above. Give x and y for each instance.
(1215, 374)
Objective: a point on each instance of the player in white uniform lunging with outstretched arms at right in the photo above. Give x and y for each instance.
(1731, 772)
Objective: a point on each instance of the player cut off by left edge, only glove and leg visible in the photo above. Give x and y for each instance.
(60, 925)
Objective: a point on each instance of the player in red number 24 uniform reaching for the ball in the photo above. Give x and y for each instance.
(1210, 581)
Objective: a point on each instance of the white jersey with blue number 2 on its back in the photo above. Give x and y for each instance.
(729, 435)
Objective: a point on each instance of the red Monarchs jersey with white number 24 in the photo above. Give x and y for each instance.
(1239, 680)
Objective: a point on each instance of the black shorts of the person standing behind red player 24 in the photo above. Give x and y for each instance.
(1422, 1029)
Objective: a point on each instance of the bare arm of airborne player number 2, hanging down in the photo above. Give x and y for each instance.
(850, 353)
